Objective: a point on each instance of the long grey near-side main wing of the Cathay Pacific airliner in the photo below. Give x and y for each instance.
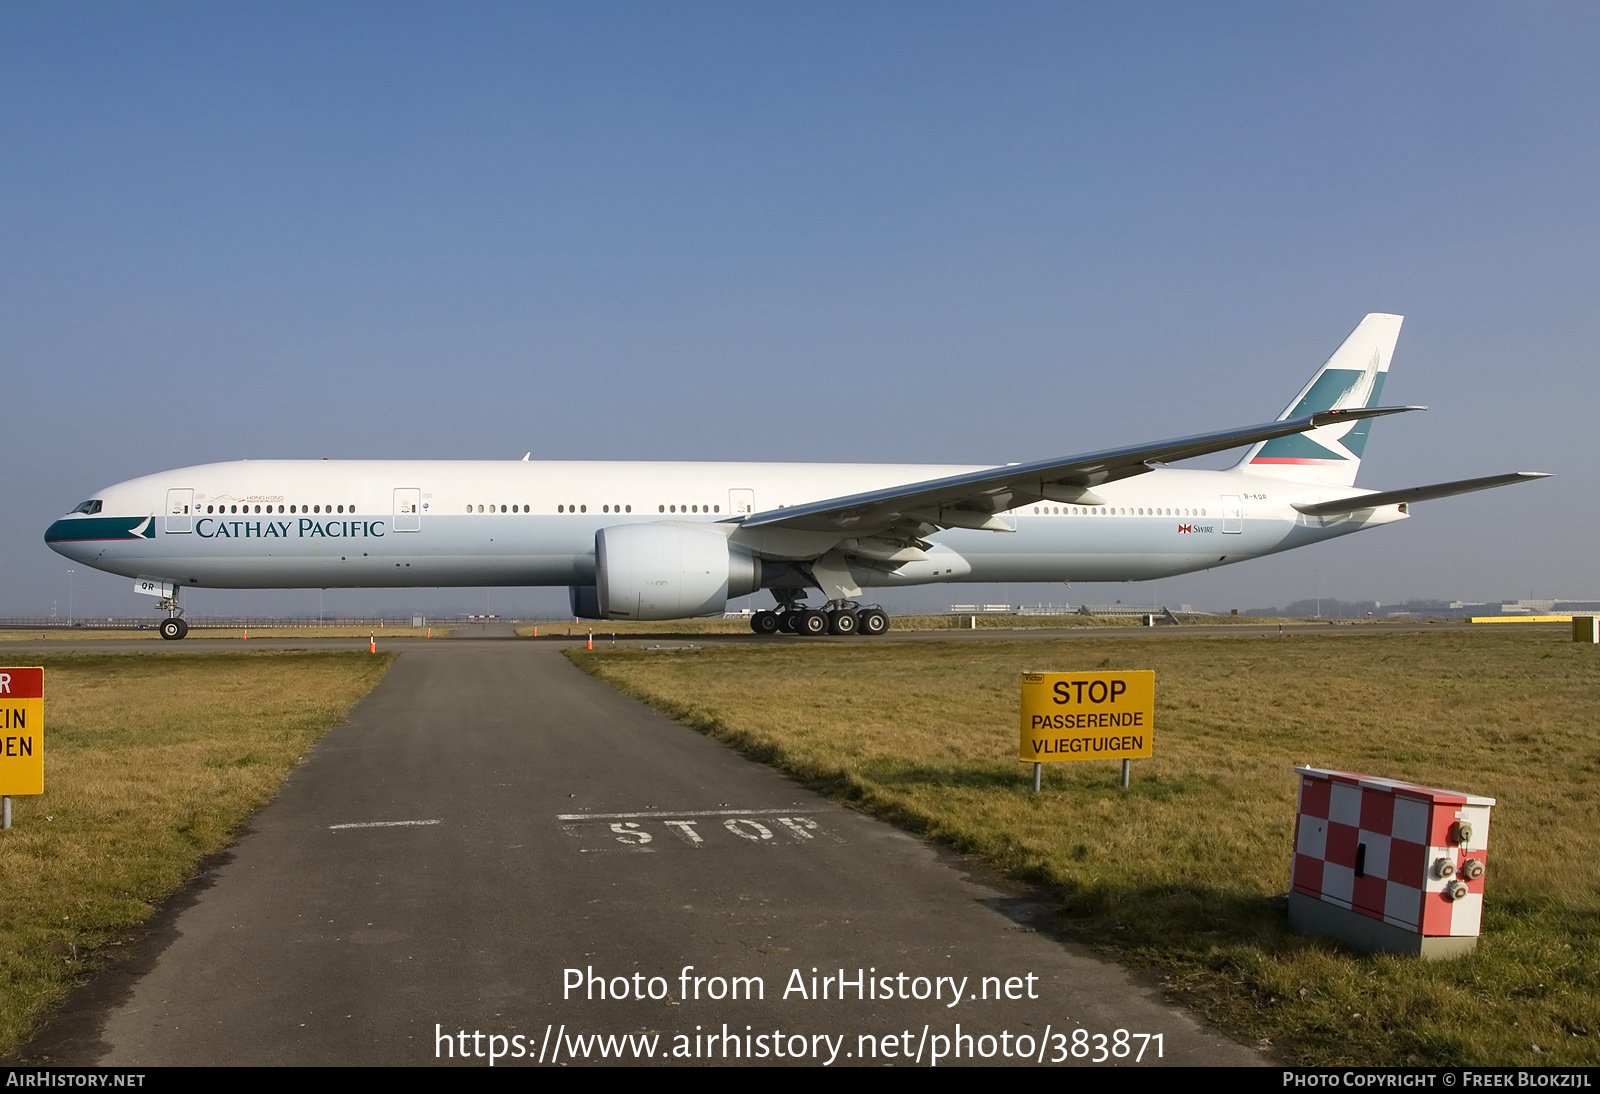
(974, 500)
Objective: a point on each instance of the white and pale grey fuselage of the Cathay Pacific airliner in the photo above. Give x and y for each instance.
(369, 524)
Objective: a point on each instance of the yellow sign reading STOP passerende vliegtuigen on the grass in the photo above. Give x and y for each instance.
(1089, 716)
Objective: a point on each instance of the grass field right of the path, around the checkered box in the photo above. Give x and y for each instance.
(1180, 874)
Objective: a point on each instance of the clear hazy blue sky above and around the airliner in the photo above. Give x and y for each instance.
(855, 233)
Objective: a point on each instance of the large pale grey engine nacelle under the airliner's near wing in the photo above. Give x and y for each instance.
(670, 572)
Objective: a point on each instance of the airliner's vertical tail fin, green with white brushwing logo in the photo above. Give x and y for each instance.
(1354, 377)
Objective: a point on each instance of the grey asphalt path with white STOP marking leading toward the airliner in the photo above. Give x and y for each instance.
(497, 847)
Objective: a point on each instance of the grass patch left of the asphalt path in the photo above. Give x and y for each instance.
(151, 764)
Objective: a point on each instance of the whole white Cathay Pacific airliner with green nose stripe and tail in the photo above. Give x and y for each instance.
(671, 541)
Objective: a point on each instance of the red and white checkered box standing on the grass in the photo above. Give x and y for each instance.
(1393, 852)
